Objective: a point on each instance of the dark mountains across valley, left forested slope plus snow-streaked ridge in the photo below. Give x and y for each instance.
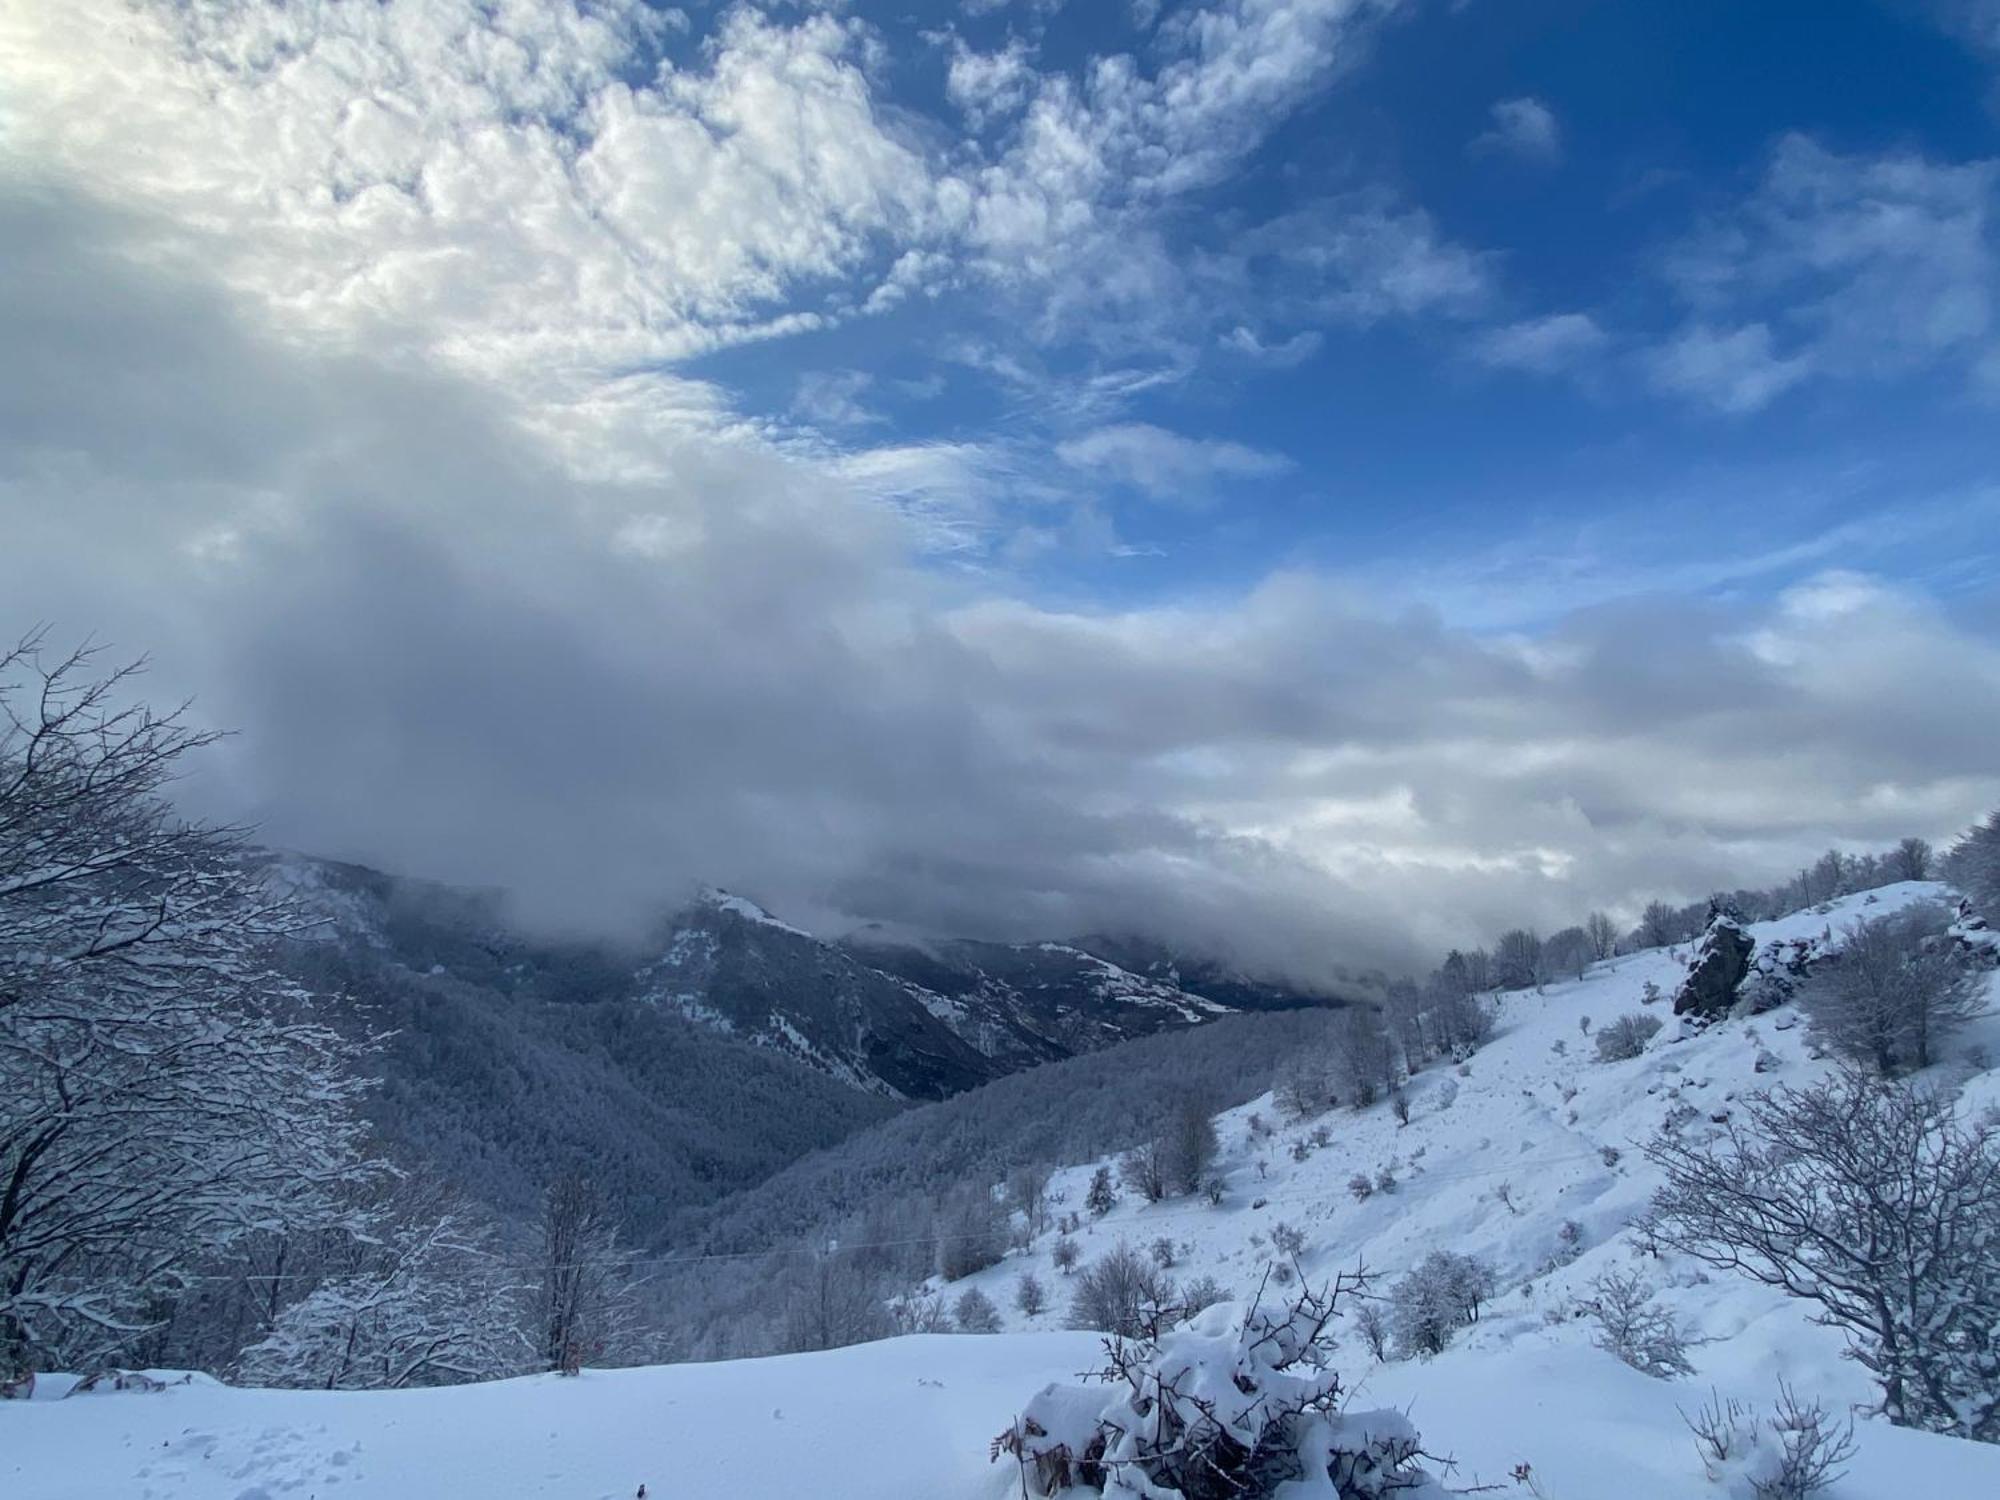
(687, 1067)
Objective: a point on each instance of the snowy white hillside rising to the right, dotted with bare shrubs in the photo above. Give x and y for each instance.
(1497, 1159)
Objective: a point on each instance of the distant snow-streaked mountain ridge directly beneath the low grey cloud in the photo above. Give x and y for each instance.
(893, 1019)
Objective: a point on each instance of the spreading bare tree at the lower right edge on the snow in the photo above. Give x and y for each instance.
(1875, 1203)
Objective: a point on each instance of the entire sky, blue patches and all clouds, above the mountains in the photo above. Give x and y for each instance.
(1309, 479)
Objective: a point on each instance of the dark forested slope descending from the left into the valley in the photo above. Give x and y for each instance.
(505, 1063)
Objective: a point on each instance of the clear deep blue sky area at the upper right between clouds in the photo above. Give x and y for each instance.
(1571, 153)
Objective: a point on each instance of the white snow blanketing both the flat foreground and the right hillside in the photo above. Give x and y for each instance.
(1493, 1163)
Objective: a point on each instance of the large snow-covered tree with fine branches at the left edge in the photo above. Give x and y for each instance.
(165, 1093)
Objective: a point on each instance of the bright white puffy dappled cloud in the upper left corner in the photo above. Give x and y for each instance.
(481, 183)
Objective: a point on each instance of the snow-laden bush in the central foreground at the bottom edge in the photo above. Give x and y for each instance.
(1221, 1405)
